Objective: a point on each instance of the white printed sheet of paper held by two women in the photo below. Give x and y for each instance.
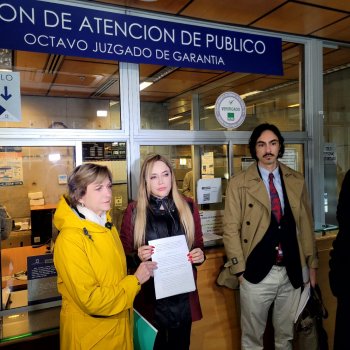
(174, 273)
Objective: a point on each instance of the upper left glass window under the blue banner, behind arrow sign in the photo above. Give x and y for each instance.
(65, 92)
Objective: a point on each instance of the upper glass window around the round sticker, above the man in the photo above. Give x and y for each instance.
(184, 99)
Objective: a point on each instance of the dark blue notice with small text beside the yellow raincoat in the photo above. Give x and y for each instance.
(42, 279)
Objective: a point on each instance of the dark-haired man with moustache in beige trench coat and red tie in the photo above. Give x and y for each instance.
(269, 240)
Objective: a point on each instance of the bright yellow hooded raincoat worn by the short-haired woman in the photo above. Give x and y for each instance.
(97, 294)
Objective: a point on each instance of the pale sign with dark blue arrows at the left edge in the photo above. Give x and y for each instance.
(10, 97)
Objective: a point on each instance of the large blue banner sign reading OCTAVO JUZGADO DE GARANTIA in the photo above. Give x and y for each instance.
(75, 30)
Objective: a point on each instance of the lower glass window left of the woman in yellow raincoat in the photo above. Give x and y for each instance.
(32, 181)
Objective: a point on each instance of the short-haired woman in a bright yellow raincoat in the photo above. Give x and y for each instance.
(97, 294)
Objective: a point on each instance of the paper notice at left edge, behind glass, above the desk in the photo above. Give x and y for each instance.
(11, 167)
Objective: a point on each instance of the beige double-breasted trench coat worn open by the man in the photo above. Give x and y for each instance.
(248, 213)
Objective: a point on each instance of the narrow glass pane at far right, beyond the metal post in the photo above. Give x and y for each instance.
(336, 82)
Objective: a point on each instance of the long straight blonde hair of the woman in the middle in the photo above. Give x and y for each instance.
(144, 192)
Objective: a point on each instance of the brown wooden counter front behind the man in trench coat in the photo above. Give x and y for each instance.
(220, 326)
